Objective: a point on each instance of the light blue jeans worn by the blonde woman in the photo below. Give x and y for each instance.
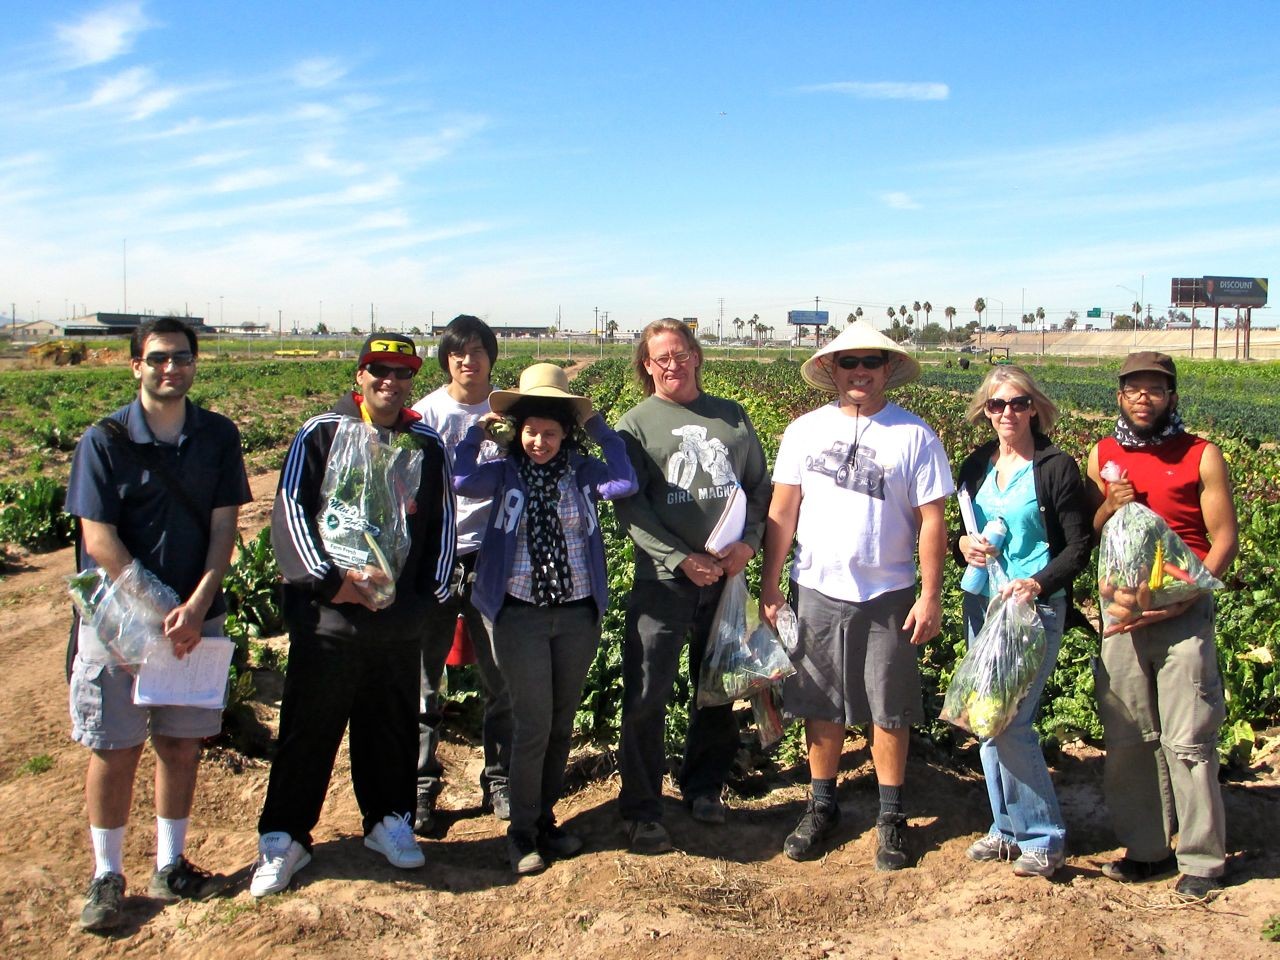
(1022, 796)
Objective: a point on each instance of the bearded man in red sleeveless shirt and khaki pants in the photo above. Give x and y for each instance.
(1160, 694)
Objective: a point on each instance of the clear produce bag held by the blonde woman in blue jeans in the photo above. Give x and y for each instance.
(1002, 664)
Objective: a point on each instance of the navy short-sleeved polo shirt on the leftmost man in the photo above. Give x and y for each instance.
(112, 486)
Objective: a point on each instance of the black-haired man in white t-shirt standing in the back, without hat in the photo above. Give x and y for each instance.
(468, 353)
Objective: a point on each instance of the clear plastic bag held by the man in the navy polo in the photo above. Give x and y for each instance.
(126, 615)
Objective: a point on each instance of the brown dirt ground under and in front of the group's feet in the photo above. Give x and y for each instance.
(728, 893)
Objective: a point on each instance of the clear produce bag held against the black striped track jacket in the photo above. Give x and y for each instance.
(365, 502)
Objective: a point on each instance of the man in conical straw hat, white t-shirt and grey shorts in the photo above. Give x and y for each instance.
(860, 486)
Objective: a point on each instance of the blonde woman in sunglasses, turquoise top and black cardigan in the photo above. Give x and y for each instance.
(1036, 490)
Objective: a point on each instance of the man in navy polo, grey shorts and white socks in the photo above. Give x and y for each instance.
(159, 483)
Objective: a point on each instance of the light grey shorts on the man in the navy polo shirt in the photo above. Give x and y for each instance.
(104, 716)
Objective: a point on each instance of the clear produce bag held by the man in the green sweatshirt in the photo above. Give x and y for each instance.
(739, 660)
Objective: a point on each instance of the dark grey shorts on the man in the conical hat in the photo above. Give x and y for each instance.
(854, 664)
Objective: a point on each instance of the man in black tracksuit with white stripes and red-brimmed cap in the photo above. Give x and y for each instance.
(353, 659)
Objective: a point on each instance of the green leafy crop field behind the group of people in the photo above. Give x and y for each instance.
(44, 413)
